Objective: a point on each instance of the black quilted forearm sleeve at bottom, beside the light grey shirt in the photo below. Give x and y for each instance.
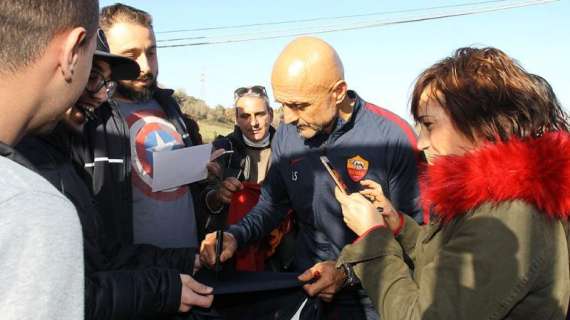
(132, 294)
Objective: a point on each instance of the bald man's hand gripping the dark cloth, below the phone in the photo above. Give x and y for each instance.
(328, 280)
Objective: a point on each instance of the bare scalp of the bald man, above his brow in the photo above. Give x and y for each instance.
(307, 62)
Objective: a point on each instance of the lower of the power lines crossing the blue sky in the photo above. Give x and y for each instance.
(356, 26)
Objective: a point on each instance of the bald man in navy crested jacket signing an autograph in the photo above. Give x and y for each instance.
(362, 141)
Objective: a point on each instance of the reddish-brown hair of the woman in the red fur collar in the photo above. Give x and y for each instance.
(487, 93)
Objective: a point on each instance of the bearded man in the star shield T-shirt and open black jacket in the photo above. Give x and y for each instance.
(123, 138)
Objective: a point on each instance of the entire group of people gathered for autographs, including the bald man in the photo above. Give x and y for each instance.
(465, 217)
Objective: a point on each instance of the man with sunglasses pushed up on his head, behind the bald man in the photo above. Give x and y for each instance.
(245, 164)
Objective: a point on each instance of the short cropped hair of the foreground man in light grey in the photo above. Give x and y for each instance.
(27, 27)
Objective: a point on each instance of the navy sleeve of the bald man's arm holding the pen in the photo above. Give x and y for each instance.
(273, 204)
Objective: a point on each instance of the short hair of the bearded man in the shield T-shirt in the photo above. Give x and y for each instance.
(122, 13)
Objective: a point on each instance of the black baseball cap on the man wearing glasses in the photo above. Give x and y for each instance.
(122, 68)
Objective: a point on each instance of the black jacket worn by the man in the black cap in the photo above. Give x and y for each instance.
(122, 281)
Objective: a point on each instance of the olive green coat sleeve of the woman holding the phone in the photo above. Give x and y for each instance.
(479, 272)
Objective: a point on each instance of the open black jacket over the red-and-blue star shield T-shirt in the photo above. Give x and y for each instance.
(106, 155)
